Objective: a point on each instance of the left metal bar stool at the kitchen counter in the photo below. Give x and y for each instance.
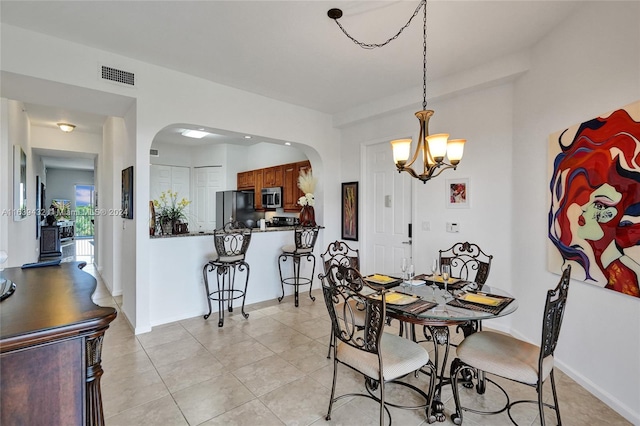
(231, 243)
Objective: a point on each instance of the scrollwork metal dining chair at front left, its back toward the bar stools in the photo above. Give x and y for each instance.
(381, 357)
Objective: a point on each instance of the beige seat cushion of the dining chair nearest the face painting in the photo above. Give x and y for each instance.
(504, 355)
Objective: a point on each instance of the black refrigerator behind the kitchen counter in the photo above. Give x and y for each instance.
(236, 206)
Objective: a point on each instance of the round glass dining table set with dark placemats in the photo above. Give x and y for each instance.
(430, 306)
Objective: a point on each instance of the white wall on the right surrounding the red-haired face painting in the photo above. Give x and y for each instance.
(587, 67)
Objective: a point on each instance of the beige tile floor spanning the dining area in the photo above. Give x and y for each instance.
(272, 369)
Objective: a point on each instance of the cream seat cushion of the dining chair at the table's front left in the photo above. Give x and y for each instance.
(400, 356)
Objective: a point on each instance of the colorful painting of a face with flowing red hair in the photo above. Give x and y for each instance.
(594, 214)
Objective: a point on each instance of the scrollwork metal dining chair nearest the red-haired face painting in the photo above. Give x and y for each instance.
(513, 359)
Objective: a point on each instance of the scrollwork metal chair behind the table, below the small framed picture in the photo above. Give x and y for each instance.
(468, 262)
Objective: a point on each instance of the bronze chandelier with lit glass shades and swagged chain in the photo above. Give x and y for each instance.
(432, 149)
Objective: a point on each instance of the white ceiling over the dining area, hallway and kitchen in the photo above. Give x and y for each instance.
(289, 50)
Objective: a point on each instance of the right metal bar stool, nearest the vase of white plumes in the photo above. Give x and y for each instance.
(305, 240)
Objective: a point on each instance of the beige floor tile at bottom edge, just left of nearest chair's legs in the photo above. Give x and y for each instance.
(300, 402)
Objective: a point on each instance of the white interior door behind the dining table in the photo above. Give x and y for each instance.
(387, 208)
